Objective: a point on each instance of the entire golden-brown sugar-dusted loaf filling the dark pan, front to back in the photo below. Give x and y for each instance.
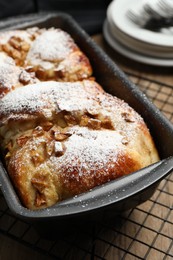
(62, 138)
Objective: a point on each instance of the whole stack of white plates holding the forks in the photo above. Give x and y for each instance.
(129, 39)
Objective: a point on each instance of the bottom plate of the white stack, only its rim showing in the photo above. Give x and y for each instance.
(131, 54)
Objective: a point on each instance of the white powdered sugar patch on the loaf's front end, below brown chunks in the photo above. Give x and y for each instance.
(89, 149)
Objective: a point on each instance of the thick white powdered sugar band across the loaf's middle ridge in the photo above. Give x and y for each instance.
(46, 95)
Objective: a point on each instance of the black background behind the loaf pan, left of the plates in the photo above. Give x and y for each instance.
(90, 14)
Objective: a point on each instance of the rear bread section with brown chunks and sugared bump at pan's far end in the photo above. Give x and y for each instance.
(51, 54)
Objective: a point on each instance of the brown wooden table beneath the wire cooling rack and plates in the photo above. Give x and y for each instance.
(143, 233)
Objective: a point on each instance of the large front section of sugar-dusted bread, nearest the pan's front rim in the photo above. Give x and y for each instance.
(60, 139)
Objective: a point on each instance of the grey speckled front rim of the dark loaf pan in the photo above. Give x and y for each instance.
(109, 193)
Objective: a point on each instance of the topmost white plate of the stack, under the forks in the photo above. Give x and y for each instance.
(118, 10)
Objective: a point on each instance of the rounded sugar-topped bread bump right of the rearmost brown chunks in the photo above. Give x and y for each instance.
(55, 55)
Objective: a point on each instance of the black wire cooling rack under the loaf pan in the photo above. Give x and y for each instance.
(139, 233)
